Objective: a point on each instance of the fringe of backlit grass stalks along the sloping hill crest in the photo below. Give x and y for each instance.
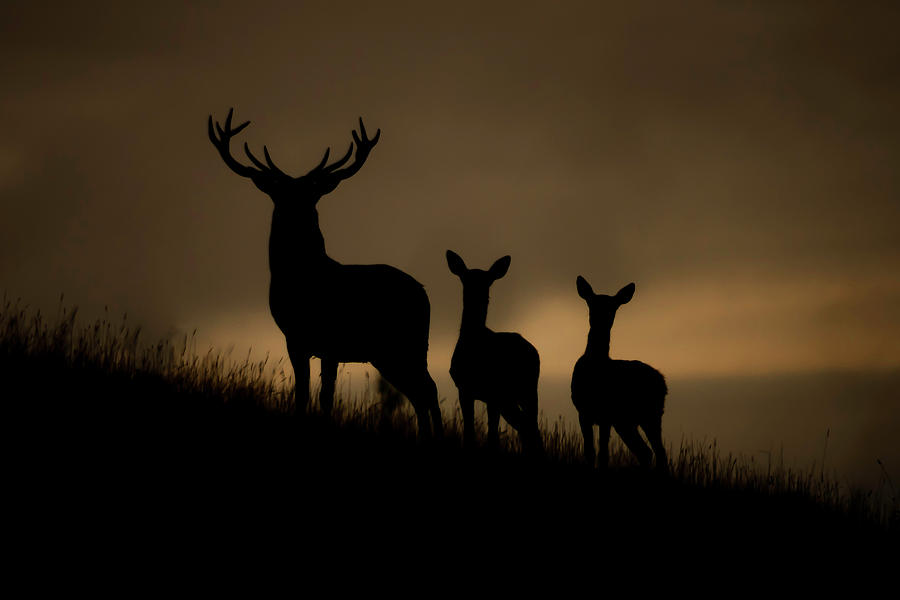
(26, 338)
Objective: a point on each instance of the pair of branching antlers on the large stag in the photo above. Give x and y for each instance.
(222, 142)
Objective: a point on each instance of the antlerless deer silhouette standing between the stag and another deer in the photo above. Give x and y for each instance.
(500, 369)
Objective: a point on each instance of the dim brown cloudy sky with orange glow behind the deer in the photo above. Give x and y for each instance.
(736, 160)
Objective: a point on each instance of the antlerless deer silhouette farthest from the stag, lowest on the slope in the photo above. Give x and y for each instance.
(625, 394)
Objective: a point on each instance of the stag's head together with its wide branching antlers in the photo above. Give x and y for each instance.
(279, 186)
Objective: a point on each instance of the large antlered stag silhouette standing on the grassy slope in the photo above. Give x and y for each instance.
(336, 312)
